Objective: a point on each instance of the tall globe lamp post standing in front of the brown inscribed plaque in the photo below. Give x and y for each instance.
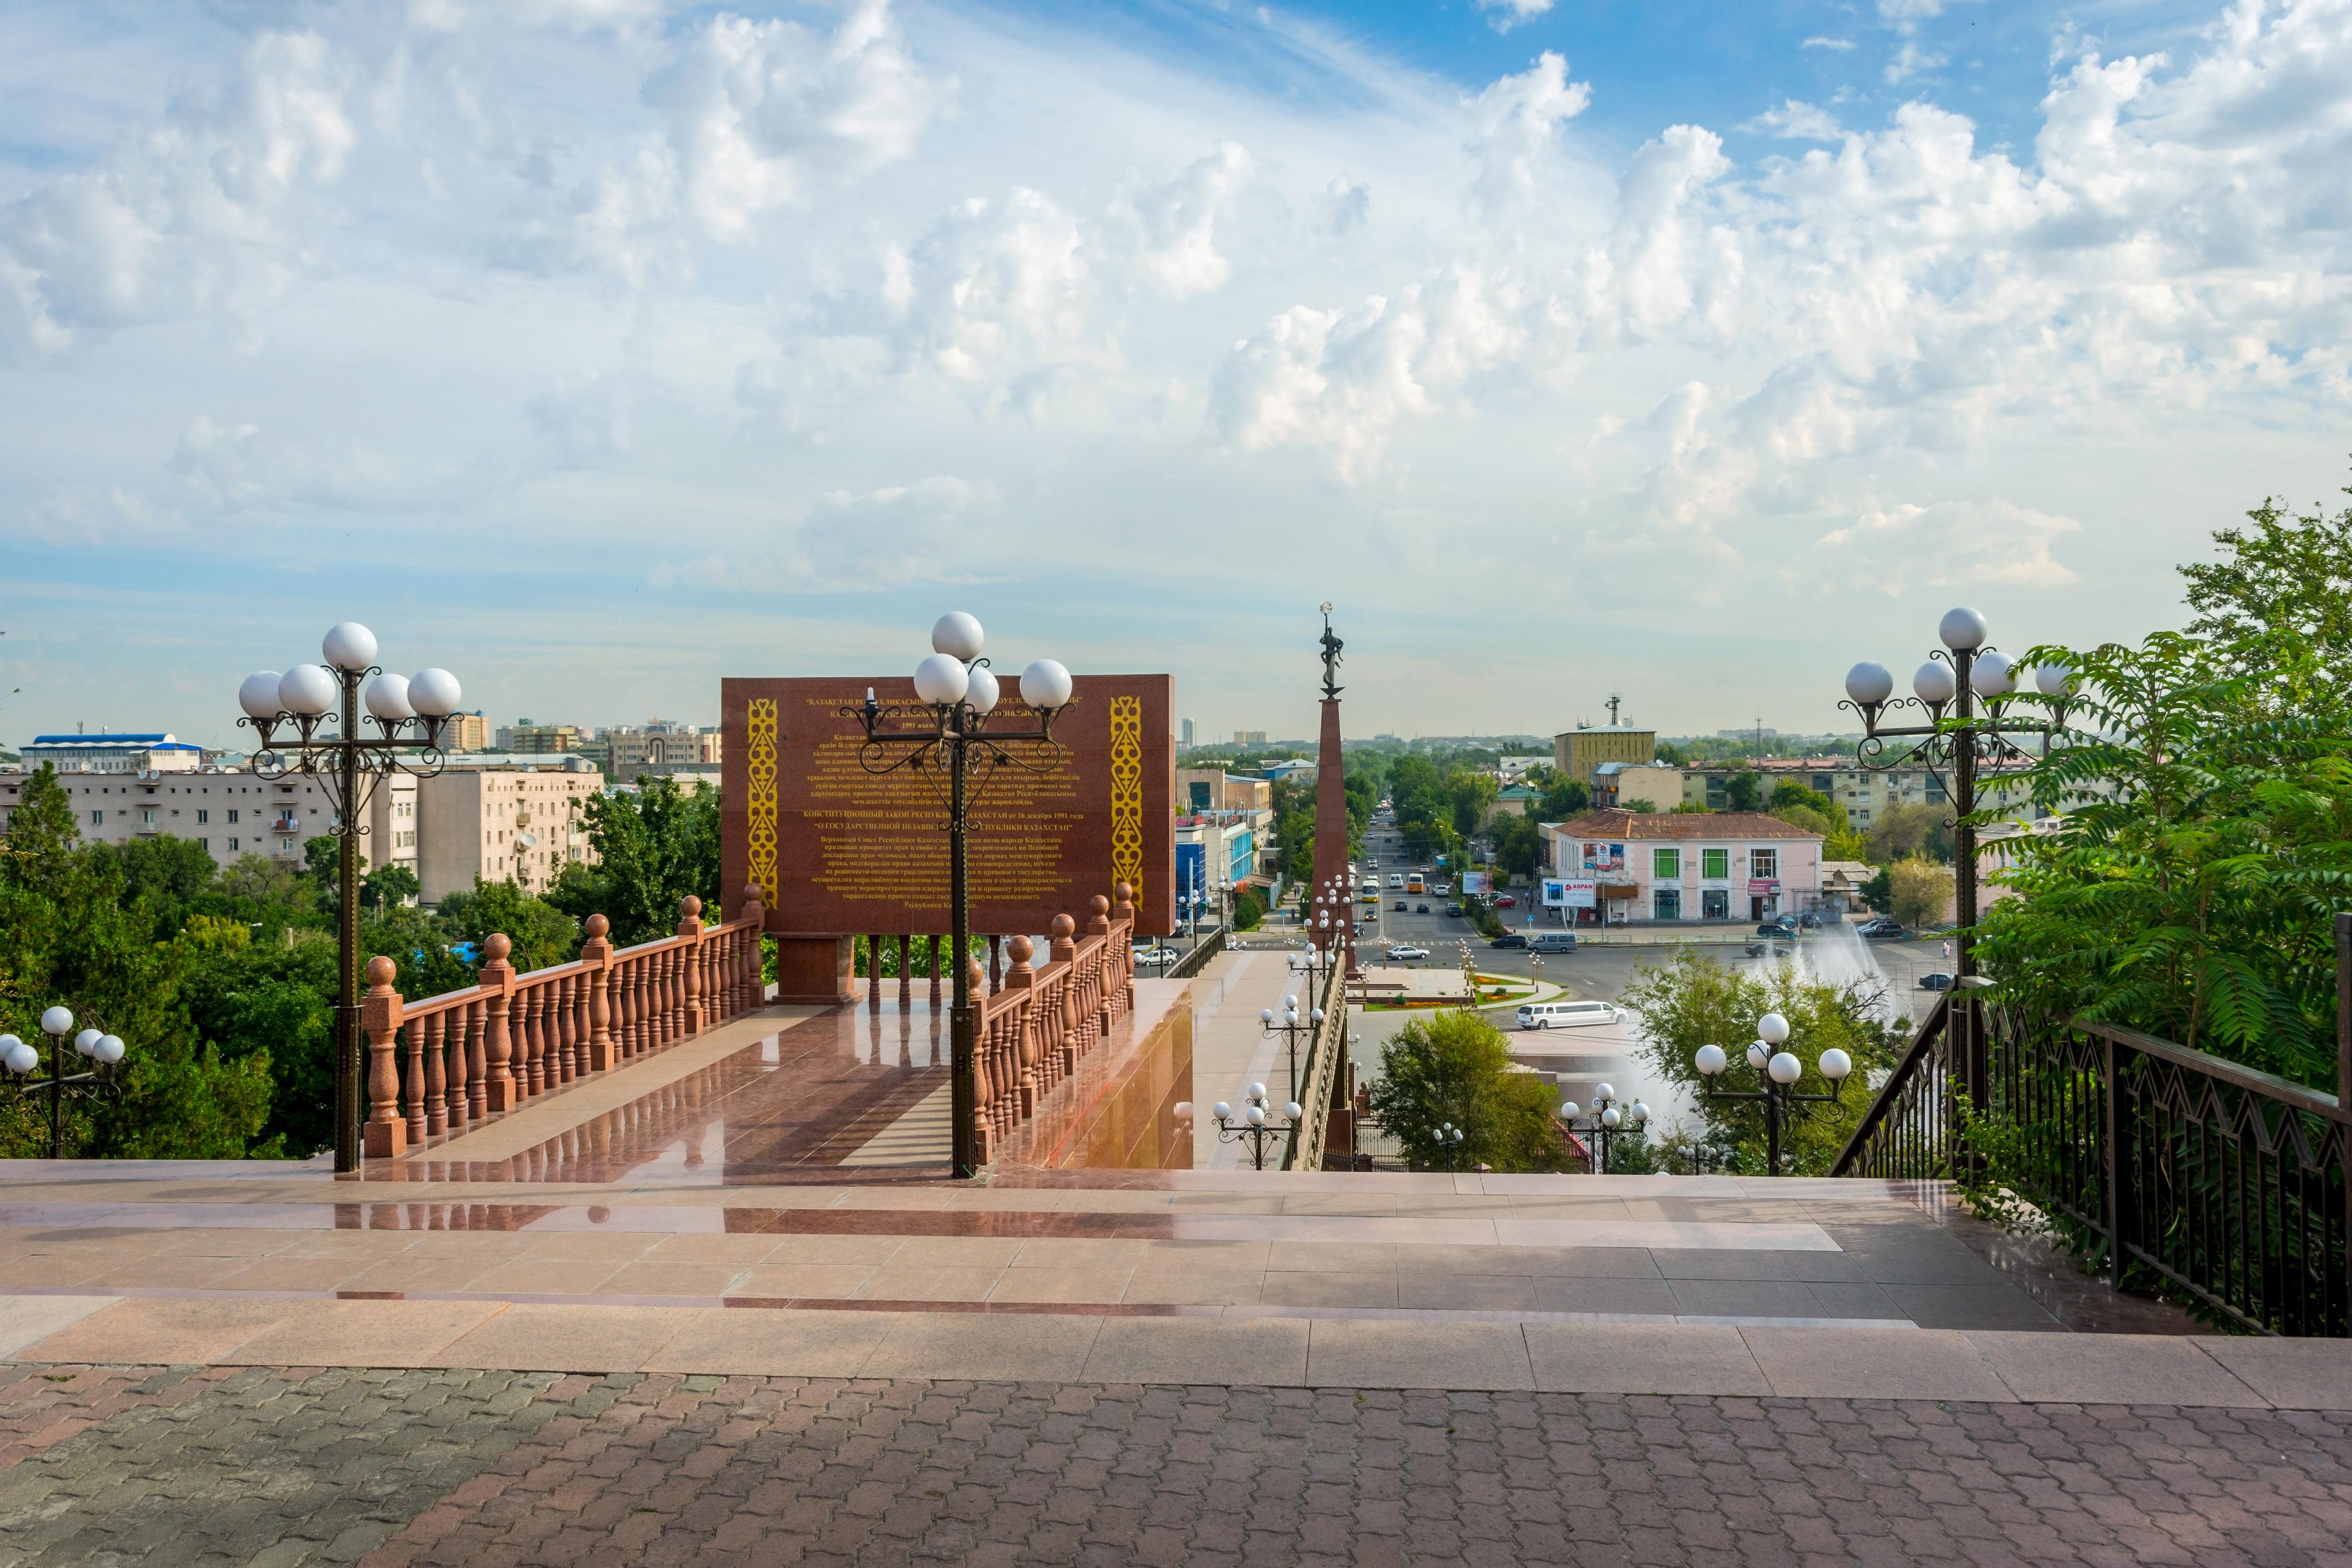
(947, 739)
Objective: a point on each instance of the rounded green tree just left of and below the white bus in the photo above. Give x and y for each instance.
(1455, 1068)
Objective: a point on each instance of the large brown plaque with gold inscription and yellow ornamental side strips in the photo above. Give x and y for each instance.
(838, 850)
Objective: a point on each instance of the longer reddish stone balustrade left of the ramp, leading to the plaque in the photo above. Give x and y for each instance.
(448, 1064)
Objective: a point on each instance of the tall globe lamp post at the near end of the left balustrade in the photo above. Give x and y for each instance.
(288, 716)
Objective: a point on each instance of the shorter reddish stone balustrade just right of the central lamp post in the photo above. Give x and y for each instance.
(1034, 1033)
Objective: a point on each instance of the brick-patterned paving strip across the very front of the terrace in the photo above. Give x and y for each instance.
(213, 1466)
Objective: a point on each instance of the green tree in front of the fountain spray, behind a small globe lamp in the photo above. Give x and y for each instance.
(1695, 1003)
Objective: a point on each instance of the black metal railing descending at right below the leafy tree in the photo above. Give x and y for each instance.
(2163, 1165)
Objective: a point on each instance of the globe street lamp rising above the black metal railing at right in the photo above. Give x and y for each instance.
(1956, 735)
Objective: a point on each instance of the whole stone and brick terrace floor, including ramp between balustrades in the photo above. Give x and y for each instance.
(664, 1325)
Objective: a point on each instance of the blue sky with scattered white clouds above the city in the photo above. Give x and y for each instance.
(601, 349)
